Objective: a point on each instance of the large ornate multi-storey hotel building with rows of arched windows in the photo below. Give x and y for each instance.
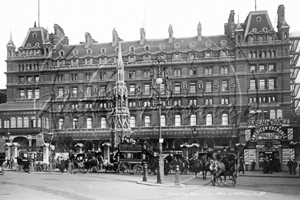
(229, 90)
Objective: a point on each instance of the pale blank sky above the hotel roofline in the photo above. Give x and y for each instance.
(99, 17)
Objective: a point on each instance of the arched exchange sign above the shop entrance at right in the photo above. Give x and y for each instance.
(268, 132)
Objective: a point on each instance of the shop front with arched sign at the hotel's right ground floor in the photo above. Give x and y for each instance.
(268, 141)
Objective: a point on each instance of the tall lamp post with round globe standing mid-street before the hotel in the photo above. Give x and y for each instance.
(160, 80)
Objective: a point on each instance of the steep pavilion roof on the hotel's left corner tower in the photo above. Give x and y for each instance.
(35, 35)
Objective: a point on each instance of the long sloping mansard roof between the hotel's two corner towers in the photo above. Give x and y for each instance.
(154, 44)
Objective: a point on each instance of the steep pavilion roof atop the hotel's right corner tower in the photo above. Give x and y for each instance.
(257, 20)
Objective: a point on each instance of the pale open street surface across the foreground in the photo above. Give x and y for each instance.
(56, 185)
